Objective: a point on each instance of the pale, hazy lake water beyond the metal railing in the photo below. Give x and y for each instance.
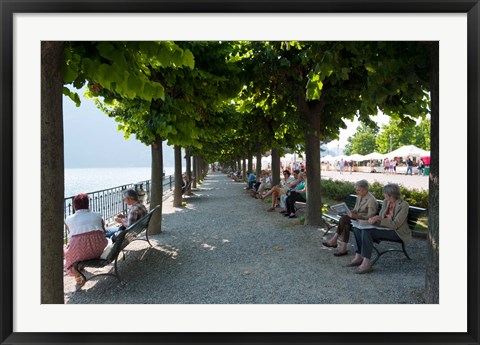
(87, 180)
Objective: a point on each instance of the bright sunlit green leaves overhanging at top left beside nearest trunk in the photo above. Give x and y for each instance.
(123, 68)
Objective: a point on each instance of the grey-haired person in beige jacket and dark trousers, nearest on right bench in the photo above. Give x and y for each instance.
(393, 215)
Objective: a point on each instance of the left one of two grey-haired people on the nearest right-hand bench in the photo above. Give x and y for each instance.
(365, 208)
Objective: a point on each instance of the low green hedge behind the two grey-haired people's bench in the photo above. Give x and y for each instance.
(339, 190)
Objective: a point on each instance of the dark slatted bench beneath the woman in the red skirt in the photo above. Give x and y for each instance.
(125, 237)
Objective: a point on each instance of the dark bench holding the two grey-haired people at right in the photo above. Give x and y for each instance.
(414, 213)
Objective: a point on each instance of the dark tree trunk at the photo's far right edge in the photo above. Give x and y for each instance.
(432, 272)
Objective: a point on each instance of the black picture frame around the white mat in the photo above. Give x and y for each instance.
(10, 7)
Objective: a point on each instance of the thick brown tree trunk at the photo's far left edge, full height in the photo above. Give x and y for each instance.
(52, 173)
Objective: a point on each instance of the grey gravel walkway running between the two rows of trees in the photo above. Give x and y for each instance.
(224, 248)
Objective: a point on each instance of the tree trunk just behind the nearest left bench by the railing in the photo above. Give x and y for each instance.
(155, 225)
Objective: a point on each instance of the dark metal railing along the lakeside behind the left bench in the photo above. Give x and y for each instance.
(109, 202)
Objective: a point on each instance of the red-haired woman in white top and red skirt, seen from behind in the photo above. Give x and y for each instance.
(87, 232)
